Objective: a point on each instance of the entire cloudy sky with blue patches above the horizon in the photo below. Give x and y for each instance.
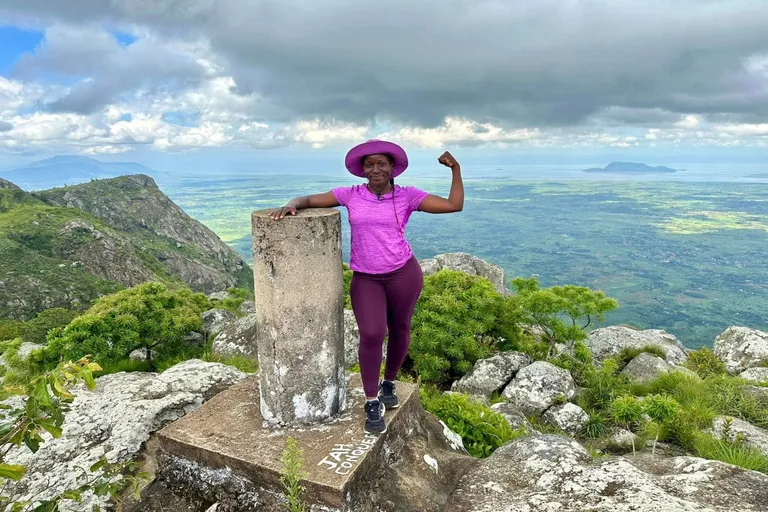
(181, 83)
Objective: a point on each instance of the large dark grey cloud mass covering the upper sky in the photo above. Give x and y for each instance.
(553, 63)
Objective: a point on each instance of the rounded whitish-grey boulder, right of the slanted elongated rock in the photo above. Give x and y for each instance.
(537, 386)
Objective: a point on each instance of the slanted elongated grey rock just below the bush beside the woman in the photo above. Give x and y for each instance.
(492, 374)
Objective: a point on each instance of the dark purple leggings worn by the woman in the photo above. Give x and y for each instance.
(381, 303)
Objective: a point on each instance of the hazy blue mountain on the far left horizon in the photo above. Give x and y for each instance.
(69, 170)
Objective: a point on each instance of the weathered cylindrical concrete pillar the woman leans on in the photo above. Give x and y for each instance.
(299, 306)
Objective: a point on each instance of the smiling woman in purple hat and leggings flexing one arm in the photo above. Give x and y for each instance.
(387, 279)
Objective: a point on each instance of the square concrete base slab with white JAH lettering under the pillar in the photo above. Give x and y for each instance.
(227, 432)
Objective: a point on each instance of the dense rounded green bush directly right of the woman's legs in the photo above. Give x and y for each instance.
(454, 325)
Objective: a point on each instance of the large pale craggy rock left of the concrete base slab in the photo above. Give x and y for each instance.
(114, 420)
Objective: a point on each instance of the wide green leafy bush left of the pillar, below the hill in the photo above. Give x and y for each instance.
(149, 316)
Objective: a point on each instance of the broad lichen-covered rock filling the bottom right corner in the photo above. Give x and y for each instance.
(543, 473)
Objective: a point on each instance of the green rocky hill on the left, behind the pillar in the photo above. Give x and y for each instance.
(66, 247)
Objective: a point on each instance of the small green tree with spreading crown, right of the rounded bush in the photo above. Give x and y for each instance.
(562, 312)
